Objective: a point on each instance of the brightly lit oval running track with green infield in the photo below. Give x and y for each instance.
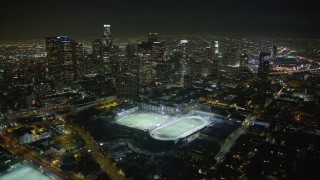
(178, 129)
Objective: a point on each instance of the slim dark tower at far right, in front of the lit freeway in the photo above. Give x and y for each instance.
(263, 70)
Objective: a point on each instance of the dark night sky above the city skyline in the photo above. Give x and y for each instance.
(25, 19)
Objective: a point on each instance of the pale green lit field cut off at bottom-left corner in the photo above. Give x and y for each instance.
(25, 173)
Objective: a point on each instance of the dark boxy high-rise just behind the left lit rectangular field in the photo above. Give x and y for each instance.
(127, 86)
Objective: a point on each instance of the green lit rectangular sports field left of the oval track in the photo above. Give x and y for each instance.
(143, 121)
